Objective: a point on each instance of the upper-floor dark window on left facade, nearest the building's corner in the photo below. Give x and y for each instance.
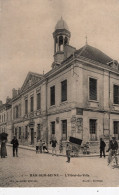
(64, 90)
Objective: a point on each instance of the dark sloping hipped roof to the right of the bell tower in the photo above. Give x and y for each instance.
(93, 53)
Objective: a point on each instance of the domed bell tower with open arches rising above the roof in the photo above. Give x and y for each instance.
(61, 37)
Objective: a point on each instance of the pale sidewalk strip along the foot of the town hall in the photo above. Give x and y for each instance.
(32, 148)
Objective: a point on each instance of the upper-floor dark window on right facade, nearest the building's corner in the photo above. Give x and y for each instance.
(92, 89)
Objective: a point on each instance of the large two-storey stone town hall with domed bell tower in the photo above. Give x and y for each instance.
(79, 97)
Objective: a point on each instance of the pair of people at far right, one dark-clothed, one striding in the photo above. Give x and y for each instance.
(112, 149)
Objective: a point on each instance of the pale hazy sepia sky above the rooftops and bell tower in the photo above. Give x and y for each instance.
(26, 27)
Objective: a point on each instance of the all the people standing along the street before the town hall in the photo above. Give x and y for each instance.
(42, 146)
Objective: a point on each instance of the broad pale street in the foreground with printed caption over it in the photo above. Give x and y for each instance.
(44, 170)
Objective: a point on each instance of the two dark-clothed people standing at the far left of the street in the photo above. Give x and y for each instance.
(15, 144)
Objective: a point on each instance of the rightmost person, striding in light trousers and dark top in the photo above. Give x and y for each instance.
(113, 147)
